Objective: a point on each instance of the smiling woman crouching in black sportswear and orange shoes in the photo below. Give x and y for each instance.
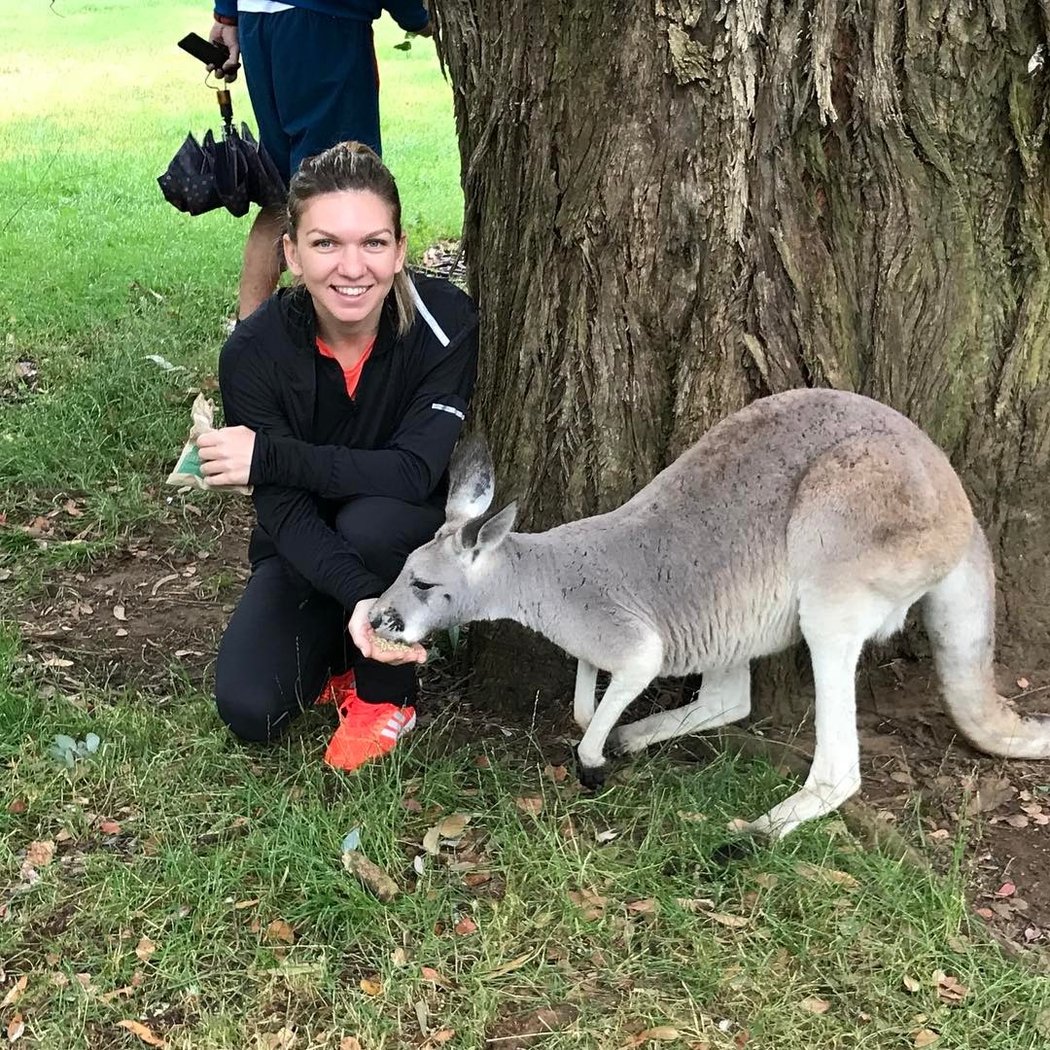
(346, 395)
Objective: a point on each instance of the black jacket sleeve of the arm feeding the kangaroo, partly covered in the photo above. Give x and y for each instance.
(289, 516)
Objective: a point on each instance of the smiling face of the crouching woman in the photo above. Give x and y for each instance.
(346, 254)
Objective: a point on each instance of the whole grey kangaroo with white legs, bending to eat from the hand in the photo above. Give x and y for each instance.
(813, 514)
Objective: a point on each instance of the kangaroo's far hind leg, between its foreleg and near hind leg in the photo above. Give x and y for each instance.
(725, 698)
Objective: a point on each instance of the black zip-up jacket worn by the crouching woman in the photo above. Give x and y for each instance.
(407, 415)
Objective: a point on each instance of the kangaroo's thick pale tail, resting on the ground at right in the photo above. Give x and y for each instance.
(960, 617)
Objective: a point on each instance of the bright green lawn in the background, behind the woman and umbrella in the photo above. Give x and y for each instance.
(99, 271)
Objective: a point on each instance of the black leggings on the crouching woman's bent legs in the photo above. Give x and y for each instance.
(285, 639)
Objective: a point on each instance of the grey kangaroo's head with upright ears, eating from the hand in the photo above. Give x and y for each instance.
(444, 583)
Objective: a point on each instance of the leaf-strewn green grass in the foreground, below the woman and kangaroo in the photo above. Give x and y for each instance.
(647, 931)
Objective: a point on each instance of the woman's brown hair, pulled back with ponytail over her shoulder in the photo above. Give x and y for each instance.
(352, 166)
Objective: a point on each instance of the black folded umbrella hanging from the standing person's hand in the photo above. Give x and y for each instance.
(233, 174)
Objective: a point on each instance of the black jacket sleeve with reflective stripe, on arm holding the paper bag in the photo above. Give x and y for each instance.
(412, 464)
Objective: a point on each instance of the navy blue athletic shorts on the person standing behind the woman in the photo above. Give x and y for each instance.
(313, 82)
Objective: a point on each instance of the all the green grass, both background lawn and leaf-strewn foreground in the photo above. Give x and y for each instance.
(175, 889)
